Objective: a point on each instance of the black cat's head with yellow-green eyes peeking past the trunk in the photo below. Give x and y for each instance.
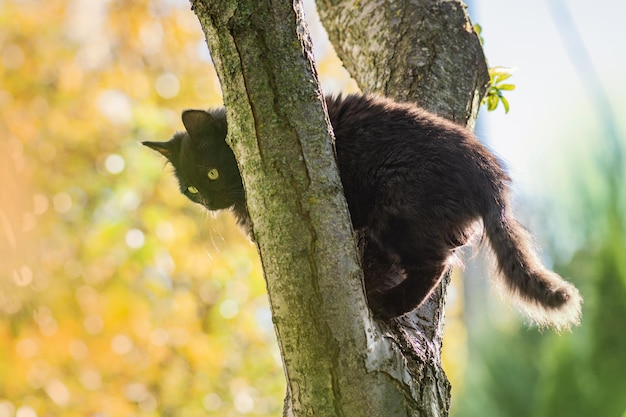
(204, 164)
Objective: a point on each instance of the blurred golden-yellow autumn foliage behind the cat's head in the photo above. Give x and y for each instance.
(118, 296)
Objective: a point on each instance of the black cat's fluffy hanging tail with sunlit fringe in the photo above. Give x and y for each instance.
(543, 295)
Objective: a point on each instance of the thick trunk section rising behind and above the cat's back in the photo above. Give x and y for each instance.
(425, 51)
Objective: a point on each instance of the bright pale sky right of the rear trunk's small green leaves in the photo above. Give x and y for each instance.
(550, 104)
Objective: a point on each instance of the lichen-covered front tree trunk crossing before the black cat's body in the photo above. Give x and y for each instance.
(337, 360)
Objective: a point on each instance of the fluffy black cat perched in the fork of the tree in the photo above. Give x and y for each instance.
(415, 185)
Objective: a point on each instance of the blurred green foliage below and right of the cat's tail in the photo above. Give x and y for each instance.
(514, 371)
